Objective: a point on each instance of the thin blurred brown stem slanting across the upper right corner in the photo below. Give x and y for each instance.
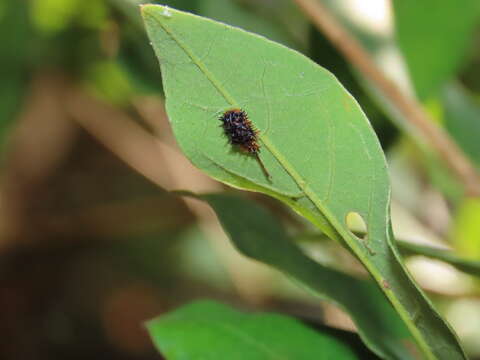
(439, 140)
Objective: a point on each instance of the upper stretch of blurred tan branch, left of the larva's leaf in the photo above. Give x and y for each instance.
(129, 141)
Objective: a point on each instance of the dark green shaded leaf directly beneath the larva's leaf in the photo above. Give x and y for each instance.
(257, 234)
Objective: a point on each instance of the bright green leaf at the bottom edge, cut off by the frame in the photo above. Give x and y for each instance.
(208, 330)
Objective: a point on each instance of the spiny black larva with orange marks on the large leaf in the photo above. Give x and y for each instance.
(241, 133)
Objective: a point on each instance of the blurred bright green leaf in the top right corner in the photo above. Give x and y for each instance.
(434, 36)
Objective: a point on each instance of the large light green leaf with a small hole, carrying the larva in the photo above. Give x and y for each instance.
(323, 157)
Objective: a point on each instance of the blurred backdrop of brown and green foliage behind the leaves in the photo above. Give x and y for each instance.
(92, 242)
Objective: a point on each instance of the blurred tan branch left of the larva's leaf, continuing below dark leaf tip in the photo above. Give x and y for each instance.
(166, 167)
